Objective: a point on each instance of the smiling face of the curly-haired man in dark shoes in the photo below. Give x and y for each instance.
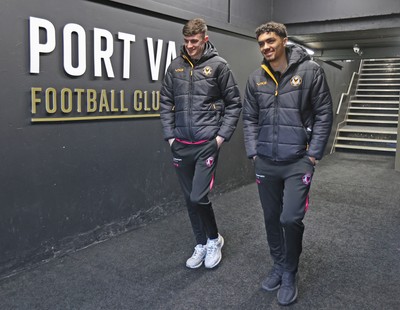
(272, 47)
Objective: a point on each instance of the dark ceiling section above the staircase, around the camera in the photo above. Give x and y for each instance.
(334, 40)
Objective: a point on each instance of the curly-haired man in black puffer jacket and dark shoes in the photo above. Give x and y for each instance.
(287, 119)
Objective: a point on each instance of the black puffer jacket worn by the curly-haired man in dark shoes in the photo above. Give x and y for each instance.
(290, 117)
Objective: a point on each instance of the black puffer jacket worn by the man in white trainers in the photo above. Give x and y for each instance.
(199, 100)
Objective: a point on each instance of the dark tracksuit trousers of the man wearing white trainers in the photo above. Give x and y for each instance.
(195, 165)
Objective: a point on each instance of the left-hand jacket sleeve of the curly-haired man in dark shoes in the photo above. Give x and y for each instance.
(250, 121)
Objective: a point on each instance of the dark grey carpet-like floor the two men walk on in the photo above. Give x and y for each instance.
(350, 260)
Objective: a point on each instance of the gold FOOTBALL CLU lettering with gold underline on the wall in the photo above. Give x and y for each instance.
(79, 104)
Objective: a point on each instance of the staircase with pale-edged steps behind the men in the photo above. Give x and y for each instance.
(371, 119)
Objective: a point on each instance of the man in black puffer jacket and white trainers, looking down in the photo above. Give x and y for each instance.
(200, 107)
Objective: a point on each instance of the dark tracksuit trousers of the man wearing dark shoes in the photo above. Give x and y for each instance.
(283, 190)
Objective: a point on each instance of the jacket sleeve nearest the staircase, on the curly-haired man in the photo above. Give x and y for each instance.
(322, 111)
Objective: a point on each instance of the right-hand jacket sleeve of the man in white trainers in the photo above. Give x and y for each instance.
(233, 106)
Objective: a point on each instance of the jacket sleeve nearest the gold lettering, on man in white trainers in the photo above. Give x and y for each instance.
(167, 108)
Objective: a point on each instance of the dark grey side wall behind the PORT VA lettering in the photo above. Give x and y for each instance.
(66, 185)
